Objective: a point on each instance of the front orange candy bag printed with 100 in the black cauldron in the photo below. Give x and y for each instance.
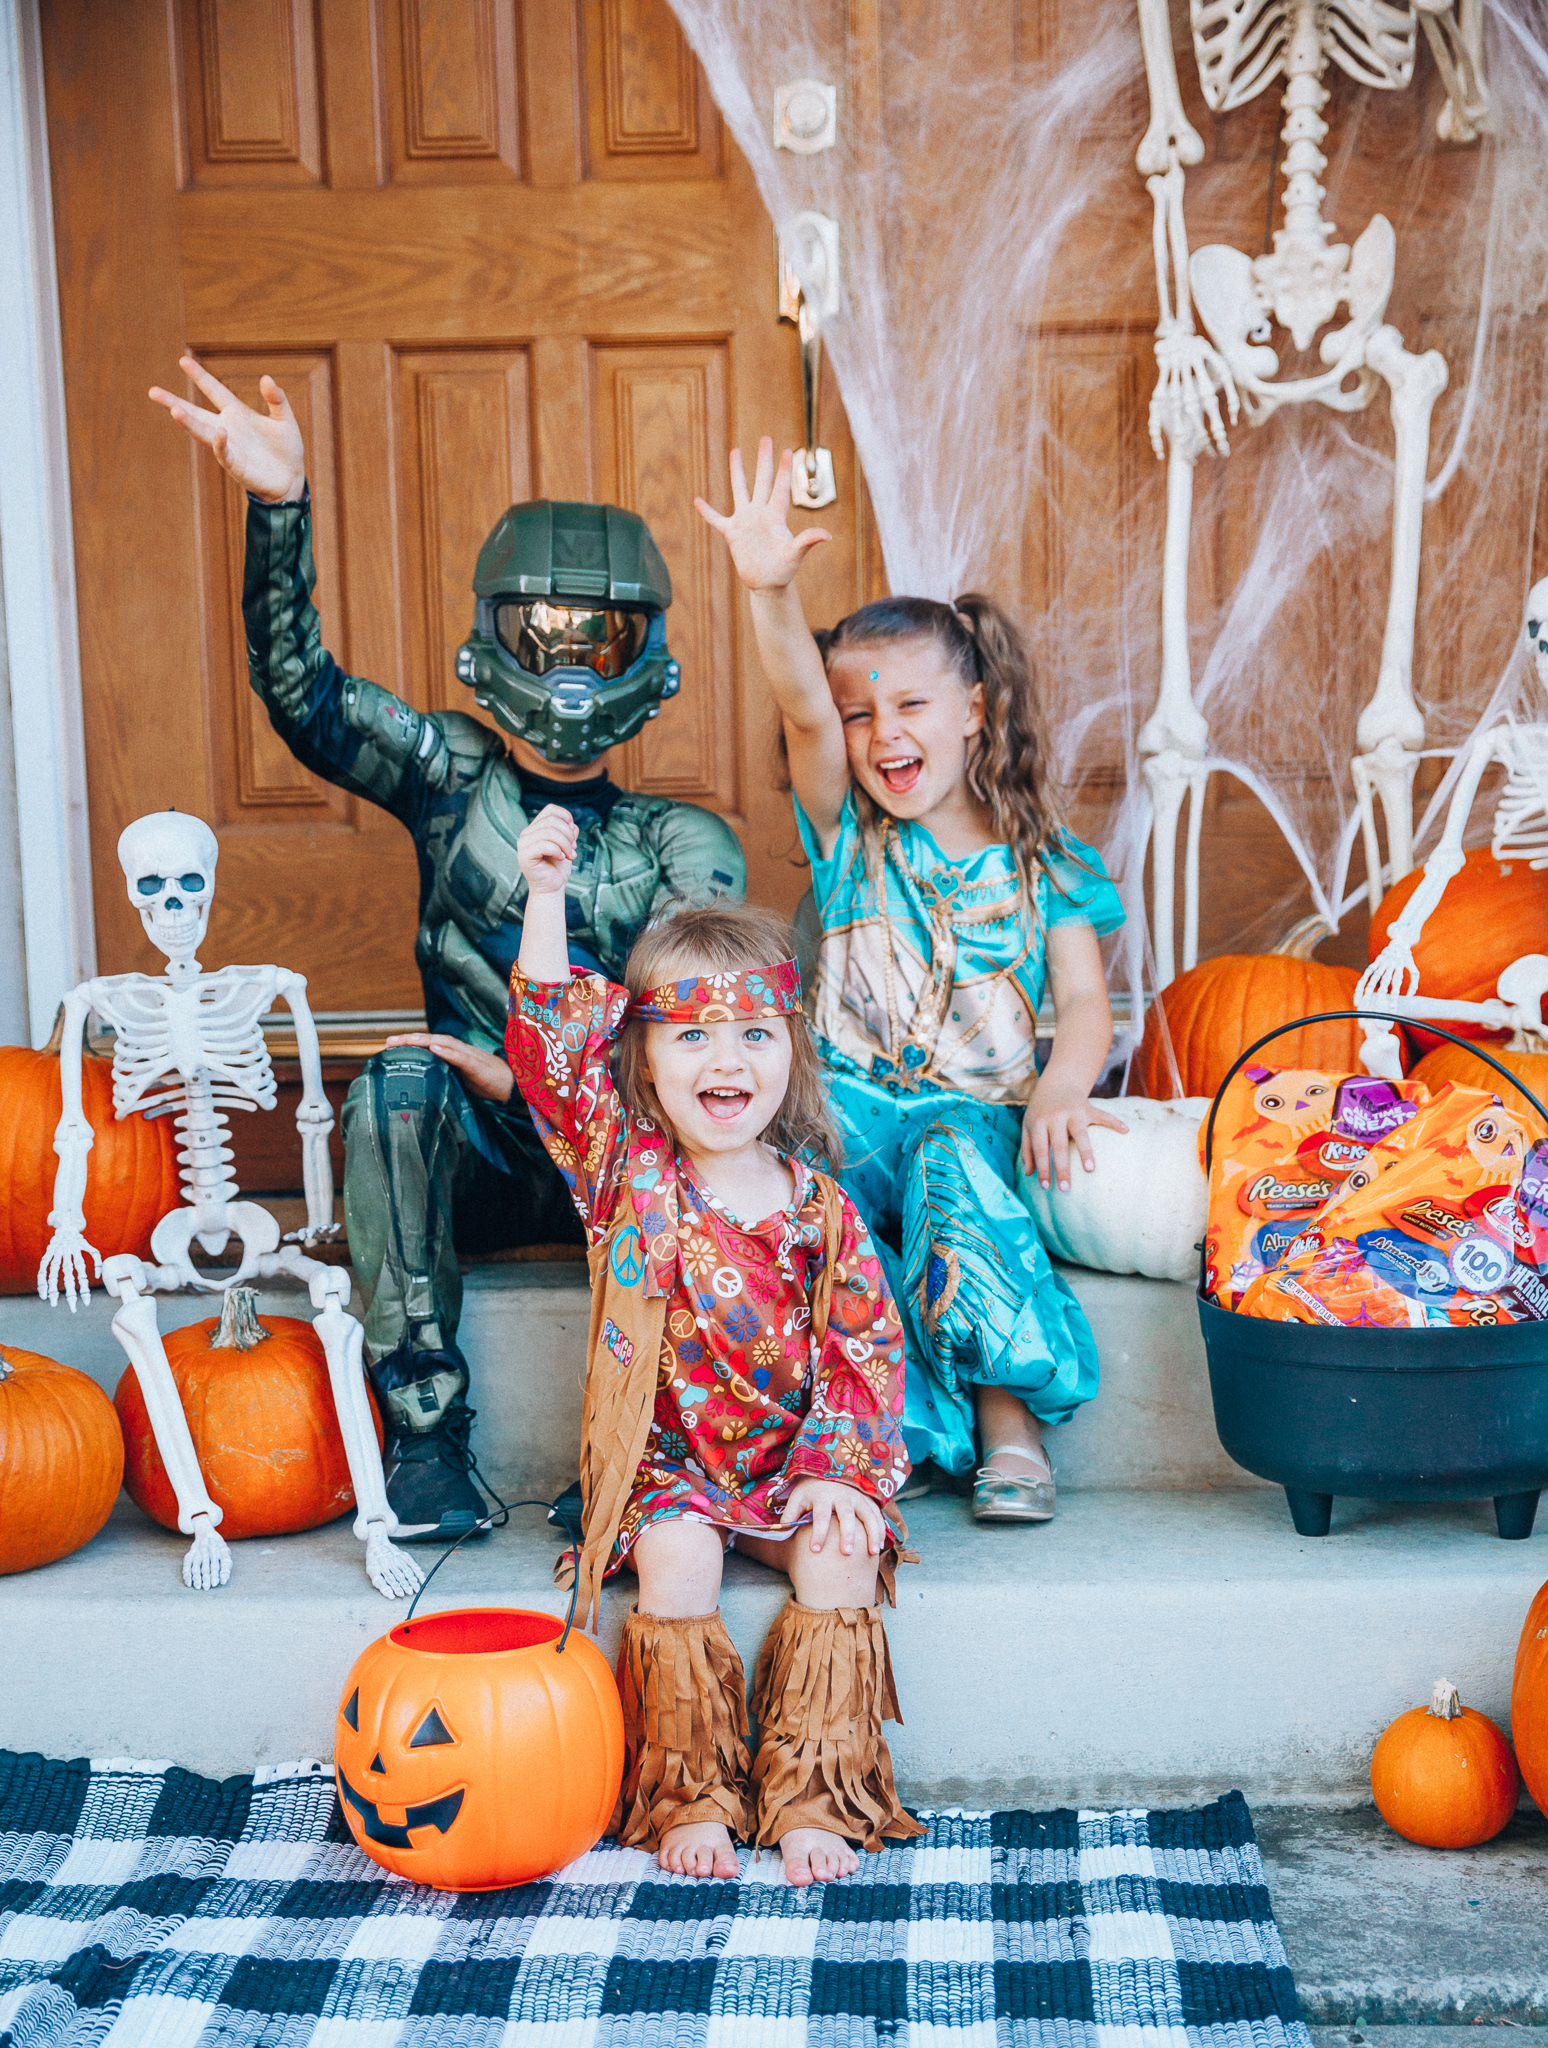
(1438, 1232)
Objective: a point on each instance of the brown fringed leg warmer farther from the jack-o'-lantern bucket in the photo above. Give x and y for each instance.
(820, 1699)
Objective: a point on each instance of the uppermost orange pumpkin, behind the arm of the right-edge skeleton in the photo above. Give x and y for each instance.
(1490, 916)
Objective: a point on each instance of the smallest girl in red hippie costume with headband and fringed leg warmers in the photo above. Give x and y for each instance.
(744, 1377)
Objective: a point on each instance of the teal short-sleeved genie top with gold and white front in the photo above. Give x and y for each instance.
(931, 972)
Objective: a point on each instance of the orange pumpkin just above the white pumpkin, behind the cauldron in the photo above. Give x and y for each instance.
(1221, 1007)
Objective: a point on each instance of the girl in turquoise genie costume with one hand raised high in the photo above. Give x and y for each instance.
(949, 896)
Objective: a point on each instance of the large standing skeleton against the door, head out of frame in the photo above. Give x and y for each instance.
(1244, 46)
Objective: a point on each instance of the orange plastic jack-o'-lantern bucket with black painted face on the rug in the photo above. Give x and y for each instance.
(472, 1752)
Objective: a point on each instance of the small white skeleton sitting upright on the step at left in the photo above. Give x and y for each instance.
(189, 1046)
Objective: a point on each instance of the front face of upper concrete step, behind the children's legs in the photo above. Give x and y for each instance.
(525, 1338)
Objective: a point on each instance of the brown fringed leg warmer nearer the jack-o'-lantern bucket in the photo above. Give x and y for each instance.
(685, 1705)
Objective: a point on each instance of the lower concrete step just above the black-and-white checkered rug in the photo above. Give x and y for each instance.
(1142, 1650)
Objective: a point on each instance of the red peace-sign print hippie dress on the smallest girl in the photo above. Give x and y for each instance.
(742, 1408)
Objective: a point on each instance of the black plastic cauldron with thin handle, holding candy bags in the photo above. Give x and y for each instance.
(1381, 1414)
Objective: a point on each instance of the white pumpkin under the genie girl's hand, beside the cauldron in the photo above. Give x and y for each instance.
(1144, 1209)
